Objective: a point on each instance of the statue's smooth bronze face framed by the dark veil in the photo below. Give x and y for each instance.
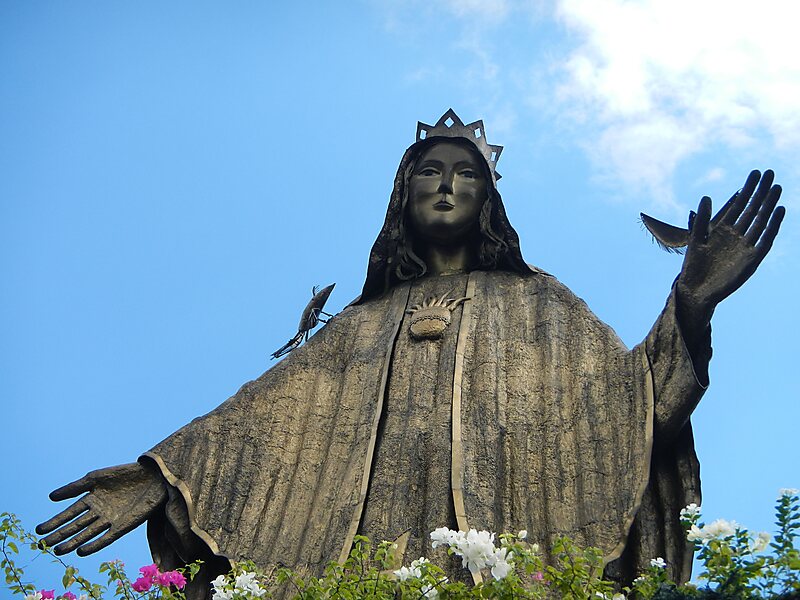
(446, 193)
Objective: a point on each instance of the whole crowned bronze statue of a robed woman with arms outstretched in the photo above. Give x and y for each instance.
(463, 388)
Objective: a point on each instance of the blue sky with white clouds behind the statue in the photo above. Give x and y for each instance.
(175, 177)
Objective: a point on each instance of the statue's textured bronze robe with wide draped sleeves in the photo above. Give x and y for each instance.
(536, 417)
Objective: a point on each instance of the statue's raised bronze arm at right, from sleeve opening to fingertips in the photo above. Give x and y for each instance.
(722, 254)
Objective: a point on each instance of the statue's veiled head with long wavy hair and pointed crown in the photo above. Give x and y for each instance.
(445, 193)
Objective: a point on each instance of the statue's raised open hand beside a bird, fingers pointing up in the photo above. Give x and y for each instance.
(722, 254)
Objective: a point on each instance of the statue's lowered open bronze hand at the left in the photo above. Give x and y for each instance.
(117, 500)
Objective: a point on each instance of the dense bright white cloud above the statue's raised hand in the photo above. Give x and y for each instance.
(664, 79)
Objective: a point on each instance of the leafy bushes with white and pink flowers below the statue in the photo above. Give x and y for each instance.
(736, 564)
